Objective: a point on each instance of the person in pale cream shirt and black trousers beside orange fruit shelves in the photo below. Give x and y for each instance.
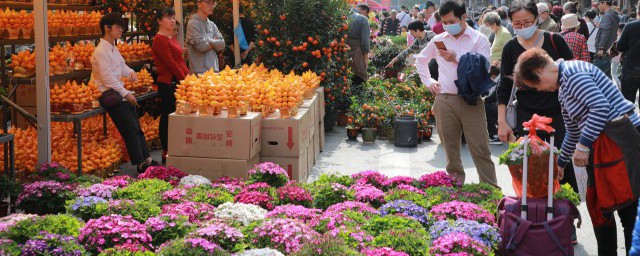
(108, 69)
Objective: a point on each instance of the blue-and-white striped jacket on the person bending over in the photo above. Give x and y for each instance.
(589, 99)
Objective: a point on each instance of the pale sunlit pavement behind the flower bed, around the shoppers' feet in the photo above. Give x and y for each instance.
(347, 157)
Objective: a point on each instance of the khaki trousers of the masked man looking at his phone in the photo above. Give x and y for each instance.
(453, 116)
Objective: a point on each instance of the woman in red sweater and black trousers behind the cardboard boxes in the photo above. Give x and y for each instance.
(169, 60)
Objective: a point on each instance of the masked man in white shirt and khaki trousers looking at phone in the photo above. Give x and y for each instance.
(453, 114)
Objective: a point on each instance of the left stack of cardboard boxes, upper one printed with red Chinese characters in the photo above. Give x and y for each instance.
(214, 146)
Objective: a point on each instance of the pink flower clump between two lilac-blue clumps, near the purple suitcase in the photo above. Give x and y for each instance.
(455, 210)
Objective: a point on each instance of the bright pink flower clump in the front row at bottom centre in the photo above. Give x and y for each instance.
(286, 235)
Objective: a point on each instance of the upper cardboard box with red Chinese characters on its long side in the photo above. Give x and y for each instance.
(215, 137)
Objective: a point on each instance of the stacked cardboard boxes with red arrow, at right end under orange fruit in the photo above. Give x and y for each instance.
(286, 142)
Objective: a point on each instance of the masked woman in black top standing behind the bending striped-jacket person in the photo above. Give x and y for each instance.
(524, 17)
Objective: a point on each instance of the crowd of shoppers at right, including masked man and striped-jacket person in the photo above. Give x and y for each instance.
(579, 65)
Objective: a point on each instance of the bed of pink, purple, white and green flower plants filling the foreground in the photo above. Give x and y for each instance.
(168, 212)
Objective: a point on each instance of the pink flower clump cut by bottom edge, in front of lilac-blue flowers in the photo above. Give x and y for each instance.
(458, 244)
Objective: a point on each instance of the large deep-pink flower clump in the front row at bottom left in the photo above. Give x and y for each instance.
(113, 230)
